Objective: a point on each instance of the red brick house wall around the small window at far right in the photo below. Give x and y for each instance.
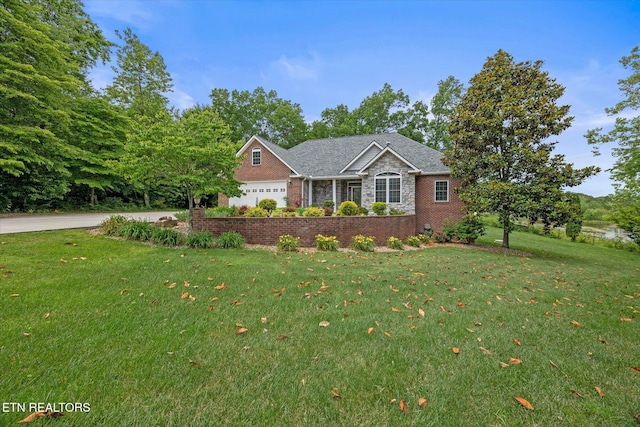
(428, 211)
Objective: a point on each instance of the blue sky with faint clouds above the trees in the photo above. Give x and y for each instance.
(319, 54)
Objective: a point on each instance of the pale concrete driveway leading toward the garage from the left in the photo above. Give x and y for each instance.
(29, 223)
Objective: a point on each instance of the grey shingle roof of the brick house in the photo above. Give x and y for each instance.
(329, 156)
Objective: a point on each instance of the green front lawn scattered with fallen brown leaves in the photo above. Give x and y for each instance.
(119, 336)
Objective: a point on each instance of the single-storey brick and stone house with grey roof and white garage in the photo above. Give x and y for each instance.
(390, 168)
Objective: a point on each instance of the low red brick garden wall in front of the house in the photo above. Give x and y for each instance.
(266, 231)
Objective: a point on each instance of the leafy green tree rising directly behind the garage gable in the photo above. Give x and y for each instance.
(260, 113)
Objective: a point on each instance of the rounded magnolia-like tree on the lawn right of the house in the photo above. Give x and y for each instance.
(500, 142)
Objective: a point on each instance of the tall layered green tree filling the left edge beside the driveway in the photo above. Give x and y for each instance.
(45, 51)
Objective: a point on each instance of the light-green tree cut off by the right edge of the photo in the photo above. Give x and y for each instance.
(626, 133)
